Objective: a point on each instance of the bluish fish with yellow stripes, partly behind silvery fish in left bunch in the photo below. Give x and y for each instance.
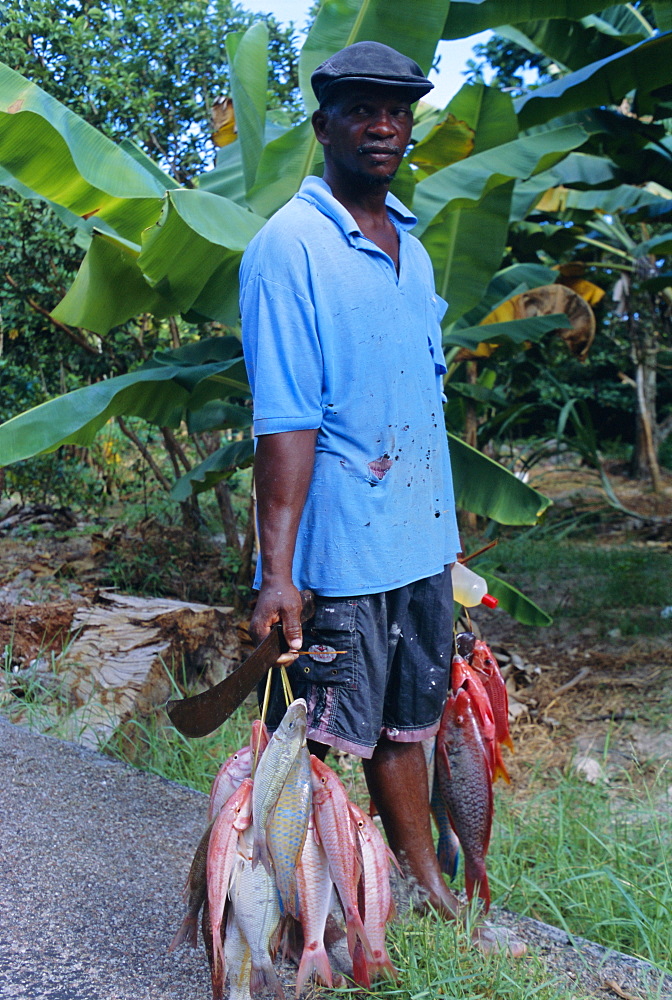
(287, 827)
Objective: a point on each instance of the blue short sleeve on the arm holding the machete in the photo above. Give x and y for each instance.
(283, 356)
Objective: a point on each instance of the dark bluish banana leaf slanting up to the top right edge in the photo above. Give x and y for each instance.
(643, 67)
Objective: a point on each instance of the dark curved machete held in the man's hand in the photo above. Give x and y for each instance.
(201, 714)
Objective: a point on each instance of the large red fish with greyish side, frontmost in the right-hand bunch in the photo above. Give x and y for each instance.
(466, 787)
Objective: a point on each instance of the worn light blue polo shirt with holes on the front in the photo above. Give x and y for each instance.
(335, 339)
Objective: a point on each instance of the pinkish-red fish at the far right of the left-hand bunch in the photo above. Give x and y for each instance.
(378, 904)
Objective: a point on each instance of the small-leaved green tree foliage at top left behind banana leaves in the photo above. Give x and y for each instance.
(147, 70)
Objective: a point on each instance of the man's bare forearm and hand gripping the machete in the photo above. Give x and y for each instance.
(283, 467)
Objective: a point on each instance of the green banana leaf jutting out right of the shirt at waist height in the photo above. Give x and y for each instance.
(485, 487)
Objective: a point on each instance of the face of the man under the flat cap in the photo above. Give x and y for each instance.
(365, 133)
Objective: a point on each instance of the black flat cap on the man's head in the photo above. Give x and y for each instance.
(370, 62)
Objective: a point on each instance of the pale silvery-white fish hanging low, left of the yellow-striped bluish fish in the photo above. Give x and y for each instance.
(254, 900)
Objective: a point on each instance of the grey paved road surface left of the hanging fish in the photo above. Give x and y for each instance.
(93, 857)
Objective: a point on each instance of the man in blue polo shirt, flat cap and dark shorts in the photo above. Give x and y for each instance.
(342, 339)
